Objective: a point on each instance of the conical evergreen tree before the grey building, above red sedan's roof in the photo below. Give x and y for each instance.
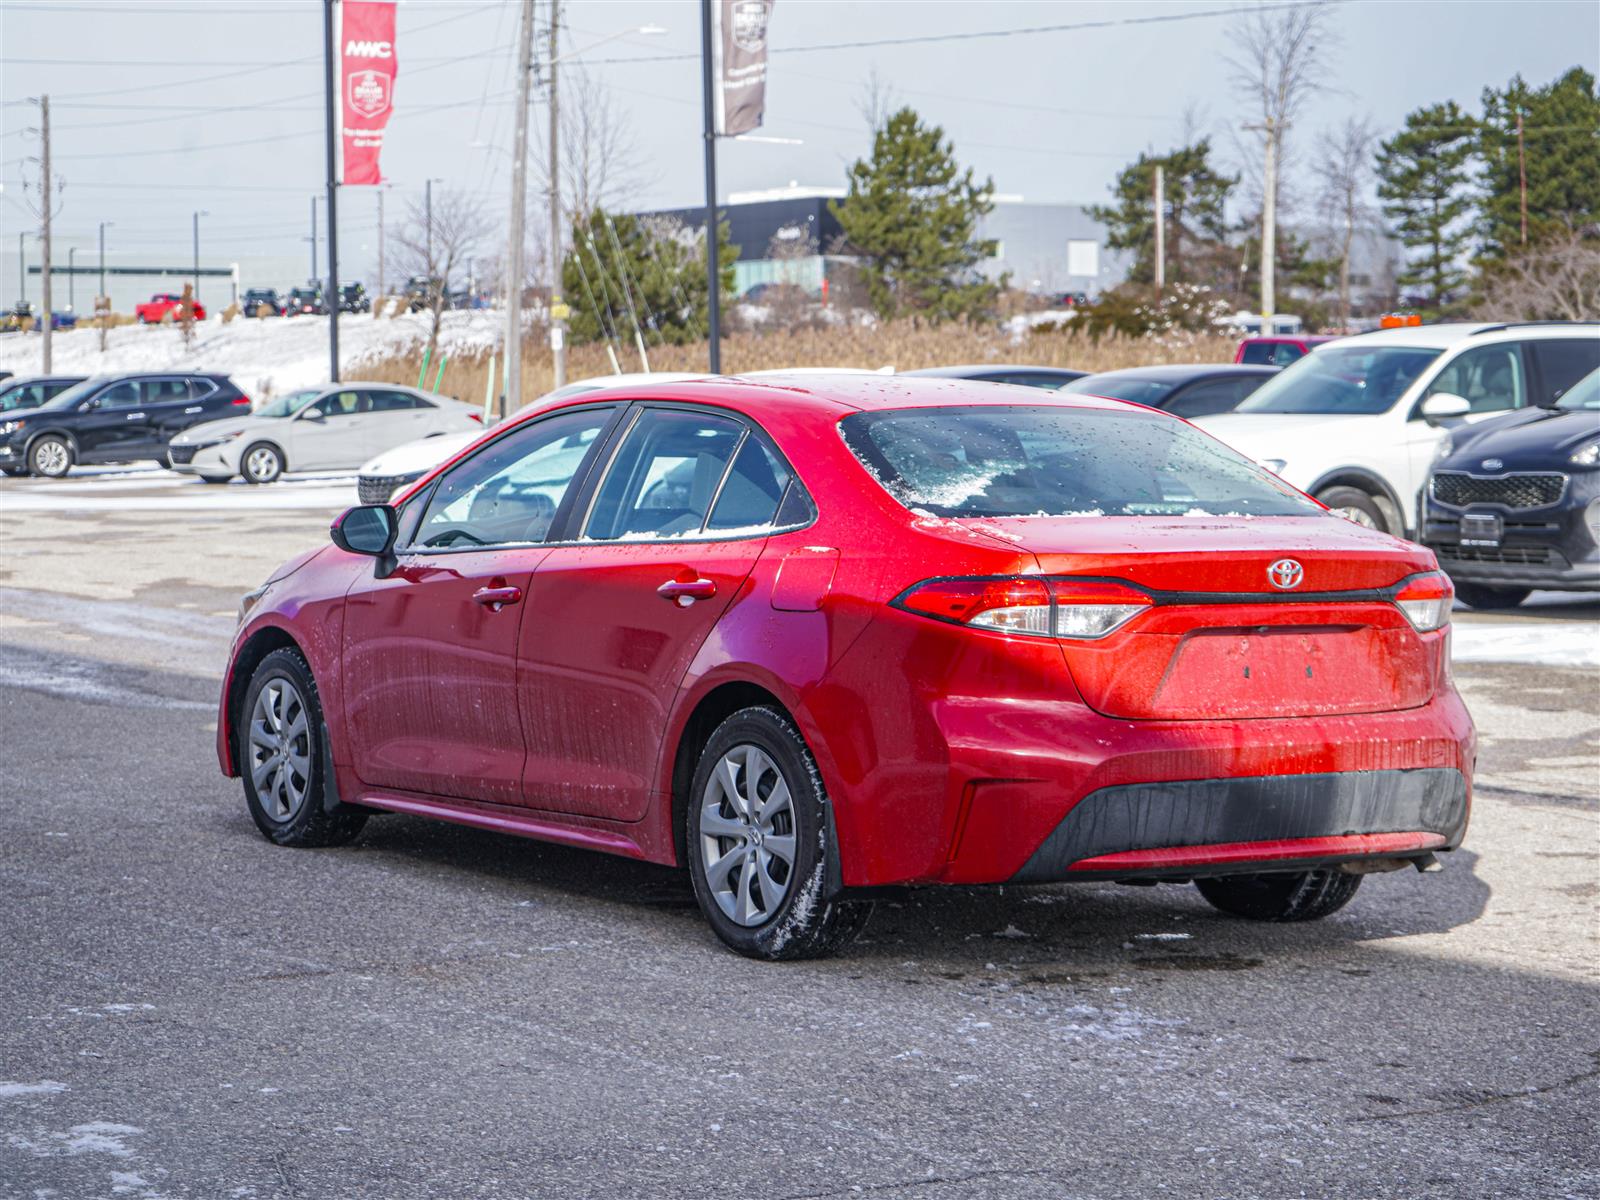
(913, 217)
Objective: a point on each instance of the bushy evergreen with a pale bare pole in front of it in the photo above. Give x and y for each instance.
(1194, 193)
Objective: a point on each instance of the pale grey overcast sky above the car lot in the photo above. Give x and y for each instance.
(167, 106)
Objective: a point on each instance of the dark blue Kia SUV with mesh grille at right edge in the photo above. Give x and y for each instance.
(1514, 503)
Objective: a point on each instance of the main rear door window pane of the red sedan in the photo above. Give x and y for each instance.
(665, 476)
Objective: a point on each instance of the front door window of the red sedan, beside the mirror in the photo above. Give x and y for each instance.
(511, 490)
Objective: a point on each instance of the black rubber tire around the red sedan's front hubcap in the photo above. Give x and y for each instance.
(306, 823)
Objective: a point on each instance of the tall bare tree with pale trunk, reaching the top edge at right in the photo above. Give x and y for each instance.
(1279, 65)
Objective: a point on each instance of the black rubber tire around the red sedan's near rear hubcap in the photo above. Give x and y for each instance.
(801, 924)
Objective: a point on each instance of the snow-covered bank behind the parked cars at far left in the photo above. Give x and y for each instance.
(263, 356)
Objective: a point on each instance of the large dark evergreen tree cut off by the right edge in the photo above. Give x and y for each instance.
(1562, 154)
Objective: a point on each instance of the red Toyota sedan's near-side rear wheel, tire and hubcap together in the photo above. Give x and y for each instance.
(758, 842)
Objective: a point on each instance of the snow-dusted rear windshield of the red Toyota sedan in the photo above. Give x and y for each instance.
(1038, 462)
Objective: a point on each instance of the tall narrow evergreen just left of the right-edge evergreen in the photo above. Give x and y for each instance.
(1425, 177)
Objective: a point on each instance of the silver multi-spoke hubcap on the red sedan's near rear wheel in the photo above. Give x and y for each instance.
(748, 836)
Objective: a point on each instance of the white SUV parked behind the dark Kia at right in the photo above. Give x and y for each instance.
(1358, 422)
